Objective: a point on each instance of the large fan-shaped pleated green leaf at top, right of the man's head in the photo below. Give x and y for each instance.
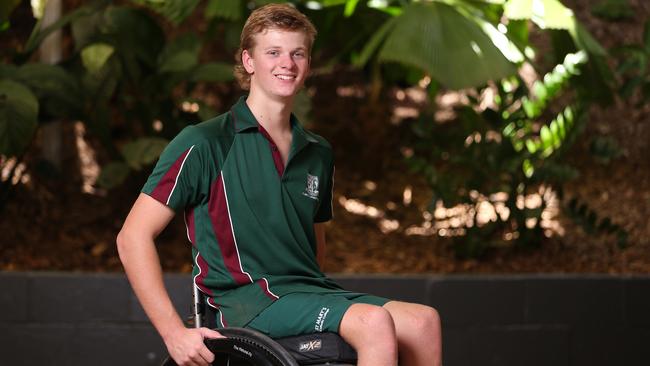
(452, 48)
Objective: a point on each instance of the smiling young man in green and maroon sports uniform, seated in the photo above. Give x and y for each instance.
(255, 189)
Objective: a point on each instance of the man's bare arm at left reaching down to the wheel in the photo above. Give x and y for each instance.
(138, 254)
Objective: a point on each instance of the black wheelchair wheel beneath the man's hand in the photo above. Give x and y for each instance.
(245, 347)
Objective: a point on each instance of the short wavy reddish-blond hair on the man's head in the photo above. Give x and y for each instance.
(272, 16)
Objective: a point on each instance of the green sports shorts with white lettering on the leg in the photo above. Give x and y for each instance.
(306, 313)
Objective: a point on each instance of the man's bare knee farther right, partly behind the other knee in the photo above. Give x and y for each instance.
(419, 334)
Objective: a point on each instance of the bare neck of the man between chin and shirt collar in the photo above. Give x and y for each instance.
(273, 114)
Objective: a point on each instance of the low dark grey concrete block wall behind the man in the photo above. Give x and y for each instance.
(522, 320)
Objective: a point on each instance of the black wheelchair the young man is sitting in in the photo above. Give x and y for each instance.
(247, 347)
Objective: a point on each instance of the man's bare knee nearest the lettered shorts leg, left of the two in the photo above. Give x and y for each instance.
(371, 331)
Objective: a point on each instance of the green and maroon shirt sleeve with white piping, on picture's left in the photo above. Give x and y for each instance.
(175, 180)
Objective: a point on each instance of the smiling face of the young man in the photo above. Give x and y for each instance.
(278, 63)
